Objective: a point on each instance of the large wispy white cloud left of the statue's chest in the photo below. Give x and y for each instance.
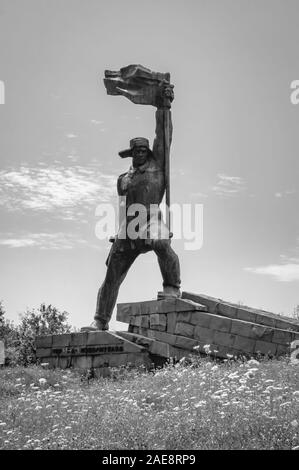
(56, 189)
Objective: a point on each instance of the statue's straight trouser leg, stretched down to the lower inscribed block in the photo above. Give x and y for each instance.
(118, 266)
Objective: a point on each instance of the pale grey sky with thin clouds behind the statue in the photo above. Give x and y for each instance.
(234, 150)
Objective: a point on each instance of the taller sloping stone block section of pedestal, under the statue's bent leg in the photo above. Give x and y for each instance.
(174, 327)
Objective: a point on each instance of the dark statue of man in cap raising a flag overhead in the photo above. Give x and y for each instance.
(144, 183)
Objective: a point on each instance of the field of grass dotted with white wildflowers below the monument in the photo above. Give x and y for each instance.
(202, 405)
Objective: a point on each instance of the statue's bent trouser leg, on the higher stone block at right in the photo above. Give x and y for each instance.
(168, 262)
